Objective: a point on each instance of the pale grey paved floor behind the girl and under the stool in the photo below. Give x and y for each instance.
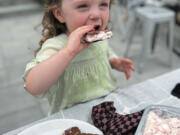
(19, 38)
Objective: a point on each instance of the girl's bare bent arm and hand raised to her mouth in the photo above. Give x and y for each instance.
(46, 73)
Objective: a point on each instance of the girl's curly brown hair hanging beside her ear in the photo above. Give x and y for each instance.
(51, 26)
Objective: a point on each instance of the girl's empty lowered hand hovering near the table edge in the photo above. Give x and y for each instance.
(122, 65)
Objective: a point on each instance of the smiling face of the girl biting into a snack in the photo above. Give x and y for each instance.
(76, 13)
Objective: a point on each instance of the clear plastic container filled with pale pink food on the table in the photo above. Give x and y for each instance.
(160, 120)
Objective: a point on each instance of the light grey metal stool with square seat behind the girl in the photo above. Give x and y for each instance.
(150, 16)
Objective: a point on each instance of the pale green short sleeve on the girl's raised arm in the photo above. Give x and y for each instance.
(49, 48)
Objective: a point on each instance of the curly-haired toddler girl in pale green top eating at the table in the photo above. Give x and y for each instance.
(66, 70)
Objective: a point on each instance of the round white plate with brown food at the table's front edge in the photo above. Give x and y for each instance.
(57, 126)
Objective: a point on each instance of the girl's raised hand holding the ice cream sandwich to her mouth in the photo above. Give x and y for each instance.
(74, 43)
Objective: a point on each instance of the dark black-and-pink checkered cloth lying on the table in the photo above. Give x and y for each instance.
(111, 123)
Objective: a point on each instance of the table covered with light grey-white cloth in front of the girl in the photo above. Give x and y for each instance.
(127, 100)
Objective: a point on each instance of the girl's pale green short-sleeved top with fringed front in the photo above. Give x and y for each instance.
(88, 76)
